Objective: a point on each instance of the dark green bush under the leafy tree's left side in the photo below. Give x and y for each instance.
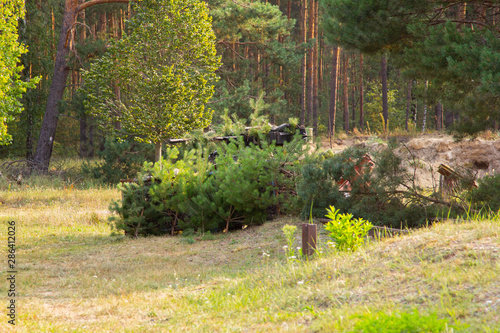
(121, 160)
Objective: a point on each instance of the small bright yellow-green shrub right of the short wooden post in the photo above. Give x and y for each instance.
(347, 233)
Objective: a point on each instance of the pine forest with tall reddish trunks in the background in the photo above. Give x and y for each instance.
(335, 65)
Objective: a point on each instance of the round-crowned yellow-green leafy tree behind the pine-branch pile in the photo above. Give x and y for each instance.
(154, 82)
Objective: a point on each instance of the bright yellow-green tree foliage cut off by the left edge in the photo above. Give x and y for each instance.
(11, 86)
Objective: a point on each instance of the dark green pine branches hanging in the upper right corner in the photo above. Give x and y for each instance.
(460, 60)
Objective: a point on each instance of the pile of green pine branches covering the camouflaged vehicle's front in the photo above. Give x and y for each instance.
(247, 185)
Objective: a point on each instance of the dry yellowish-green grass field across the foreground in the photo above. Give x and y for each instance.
(75, 276)
